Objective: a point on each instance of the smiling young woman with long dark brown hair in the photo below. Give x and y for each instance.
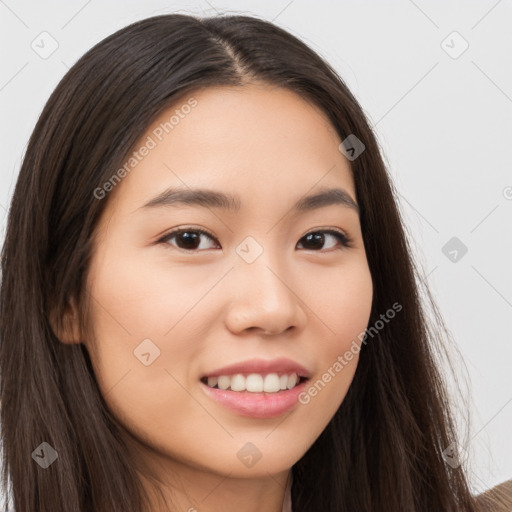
(208, 300)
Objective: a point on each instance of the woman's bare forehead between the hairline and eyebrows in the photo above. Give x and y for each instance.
(260, 143)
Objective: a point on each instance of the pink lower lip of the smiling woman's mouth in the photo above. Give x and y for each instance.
(257, 405)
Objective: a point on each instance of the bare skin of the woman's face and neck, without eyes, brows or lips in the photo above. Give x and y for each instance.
(269, 147)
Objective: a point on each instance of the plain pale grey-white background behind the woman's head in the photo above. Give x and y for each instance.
(443, 116)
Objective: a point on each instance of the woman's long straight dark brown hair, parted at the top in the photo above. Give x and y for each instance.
(382, 450)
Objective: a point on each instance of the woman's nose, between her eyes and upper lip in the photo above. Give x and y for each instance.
(262, 298)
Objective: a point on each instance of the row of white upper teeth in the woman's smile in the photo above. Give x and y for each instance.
(254, 382)
